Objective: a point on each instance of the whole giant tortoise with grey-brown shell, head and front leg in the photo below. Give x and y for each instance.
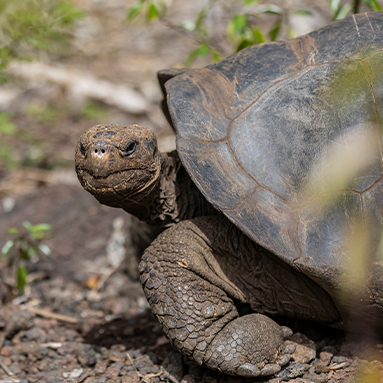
(251, 200)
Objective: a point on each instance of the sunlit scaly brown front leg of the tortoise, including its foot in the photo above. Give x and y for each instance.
(184, 279)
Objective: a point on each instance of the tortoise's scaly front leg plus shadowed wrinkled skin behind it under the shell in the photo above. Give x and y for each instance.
(191, 282)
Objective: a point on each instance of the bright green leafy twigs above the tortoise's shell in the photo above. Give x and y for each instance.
(242, 18)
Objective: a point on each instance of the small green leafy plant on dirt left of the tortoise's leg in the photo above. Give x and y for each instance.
(27, 245)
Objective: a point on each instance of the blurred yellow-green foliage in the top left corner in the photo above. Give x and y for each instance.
(30, 25)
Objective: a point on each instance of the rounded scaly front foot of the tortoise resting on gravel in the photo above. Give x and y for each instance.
(249, 346)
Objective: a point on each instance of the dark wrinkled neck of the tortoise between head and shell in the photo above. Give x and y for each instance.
(173, 197)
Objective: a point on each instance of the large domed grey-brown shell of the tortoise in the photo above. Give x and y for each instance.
(255, 129)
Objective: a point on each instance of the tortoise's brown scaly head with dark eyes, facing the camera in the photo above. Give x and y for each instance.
(118, 163)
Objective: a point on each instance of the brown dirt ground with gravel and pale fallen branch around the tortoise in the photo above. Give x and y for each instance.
(83, 317)
